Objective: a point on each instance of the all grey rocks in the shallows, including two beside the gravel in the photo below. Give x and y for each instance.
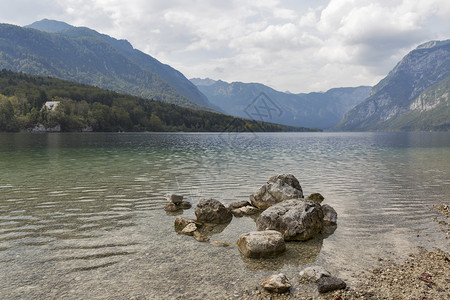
(285, 215)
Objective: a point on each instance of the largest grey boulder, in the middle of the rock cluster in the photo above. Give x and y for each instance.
(296, 219)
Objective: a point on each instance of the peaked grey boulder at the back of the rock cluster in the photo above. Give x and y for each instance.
(278, 188)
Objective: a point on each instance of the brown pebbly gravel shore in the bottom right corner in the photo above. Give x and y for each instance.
(424, 274)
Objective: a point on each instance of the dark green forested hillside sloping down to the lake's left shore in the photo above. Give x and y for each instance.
(82, 106)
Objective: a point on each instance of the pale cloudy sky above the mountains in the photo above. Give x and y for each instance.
(295, 45)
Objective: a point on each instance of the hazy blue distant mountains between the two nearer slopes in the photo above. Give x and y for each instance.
(318, 110)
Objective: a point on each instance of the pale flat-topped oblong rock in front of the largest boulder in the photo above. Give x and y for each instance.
(259, 244)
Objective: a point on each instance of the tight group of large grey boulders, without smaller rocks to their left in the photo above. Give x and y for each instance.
(287, 212)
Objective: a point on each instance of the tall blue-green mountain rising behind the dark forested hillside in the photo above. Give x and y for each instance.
(57, 49)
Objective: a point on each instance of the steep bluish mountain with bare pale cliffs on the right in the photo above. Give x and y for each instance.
(413, 96)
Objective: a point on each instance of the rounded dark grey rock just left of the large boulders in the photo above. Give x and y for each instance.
(212, 211)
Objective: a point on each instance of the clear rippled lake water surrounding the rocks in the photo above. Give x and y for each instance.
(81, 215)
